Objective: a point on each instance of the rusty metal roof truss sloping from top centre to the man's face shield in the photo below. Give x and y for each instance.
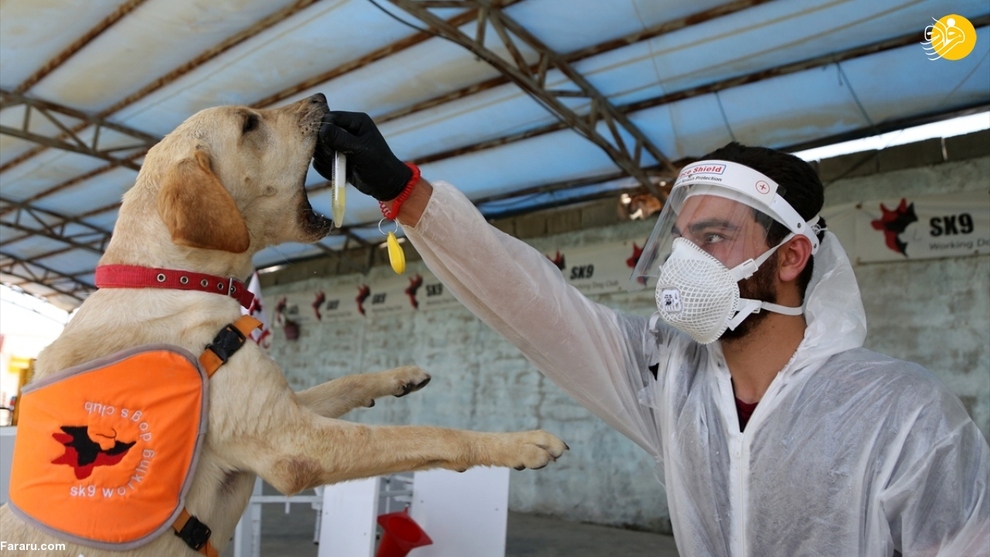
(519, 71)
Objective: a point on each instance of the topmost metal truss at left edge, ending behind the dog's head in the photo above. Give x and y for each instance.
(69, 122)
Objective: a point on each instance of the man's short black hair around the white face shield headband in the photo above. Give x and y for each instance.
(798, 183)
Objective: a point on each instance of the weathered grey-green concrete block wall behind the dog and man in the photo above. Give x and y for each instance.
(934, 312)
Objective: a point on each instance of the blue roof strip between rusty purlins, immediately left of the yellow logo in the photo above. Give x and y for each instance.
(753, 40)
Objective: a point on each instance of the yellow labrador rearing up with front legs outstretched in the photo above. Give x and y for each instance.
(226, 183)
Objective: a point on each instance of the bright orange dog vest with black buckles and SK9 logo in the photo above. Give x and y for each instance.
(105, 451)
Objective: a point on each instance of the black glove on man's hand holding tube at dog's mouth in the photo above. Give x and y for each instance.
(371, 166)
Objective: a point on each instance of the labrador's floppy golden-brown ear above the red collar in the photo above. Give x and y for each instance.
(198, 211)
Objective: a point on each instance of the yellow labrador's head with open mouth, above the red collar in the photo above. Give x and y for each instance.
(230, 178)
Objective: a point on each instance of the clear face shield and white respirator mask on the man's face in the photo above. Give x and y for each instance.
(711, 234)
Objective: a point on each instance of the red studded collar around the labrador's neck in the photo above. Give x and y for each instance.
(130, 276)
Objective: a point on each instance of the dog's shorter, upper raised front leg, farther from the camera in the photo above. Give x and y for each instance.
(337, 397)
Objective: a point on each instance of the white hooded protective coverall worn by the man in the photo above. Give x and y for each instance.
(849, 453)
